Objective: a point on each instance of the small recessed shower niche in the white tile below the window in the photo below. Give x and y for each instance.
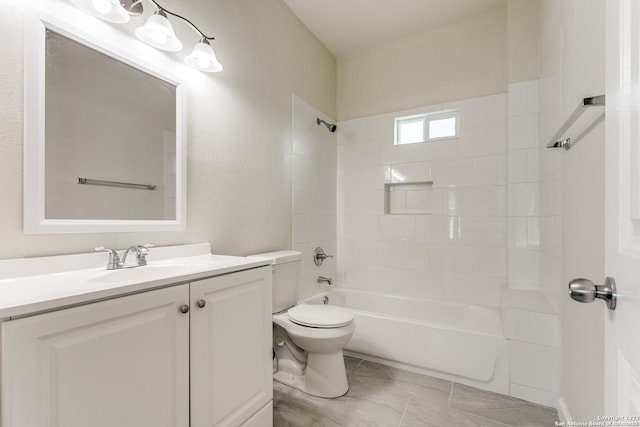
(408, 198)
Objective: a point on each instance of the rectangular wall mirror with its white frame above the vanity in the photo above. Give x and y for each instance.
(104, 137)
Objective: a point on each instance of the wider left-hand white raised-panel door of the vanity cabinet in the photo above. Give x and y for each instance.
(122, 362)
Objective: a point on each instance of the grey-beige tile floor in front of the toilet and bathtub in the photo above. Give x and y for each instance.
(383, 396)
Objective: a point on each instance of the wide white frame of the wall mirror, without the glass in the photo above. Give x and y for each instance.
(36, 24)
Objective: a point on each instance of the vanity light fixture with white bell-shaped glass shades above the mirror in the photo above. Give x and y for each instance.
(157, 31)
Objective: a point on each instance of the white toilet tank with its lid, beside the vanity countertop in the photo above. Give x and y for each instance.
(286, 275)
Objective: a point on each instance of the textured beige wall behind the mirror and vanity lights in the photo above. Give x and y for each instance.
(239, 124)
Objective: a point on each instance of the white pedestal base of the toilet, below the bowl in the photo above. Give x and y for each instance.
(324, 376)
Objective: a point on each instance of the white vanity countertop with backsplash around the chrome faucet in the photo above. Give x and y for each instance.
(29, 285)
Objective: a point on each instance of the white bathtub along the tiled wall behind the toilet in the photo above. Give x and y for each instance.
(460, 342)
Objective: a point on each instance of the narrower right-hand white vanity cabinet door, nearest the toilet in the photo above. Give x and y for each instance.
(230, 347)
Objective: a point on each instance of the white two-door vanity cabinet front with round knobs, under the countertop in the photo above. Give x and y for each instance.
(195, 354)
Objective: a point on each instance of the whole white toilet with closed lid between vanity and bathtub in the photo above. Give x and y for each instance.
(307, 338)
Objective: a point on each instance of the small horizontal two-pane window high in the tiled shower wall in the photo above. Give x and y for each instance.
(426, 127)
